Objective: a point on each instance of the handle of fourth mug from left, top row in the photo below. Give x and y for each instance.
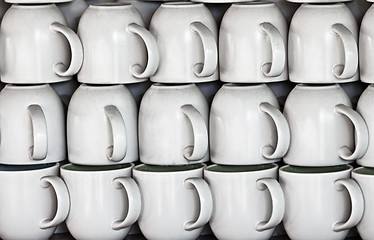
(278, 49)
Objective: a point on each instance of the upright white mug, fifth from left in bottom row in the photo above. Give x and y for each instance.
(321, 202)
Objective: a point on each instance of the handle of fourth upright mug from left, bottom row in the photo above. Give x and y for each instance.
(277, 199)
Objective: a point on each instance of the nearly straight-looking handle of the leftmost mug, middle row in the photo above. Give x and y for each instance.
(39, 131)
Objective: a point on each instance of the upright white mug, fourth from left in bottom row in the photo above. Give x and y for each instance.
(248, 202)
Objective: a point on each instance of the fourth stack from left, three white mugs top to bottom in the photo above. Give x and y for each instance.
(248, 132)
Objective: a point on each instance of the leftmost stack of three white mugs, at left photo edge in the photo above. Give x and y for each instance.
(34, 199)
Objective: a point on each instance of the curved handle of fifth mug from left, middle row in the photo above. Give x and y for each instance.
(362, 133)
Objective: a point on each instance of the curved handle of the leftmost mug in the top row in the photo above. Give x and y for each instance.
(76, 51)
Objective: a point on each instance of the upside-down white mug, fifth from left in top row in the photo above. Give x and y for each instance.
(322, 44)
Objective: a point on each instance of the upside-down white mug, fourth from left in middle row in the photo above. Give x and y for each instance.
(246, 126)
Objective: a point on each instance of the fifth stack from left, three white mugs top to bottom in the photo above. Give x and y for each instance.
(327, 134)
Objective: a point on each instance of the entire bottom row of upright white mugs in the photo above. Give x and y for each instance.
(176, 202)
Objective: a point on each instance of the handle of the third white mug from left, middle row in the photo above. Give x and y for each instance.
(200, 134)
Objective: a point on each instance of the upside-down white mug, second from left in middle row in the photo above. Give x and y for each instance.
(102, 126)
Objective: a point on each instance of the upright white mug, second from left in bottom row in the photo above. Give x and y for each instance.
(104, 200)
